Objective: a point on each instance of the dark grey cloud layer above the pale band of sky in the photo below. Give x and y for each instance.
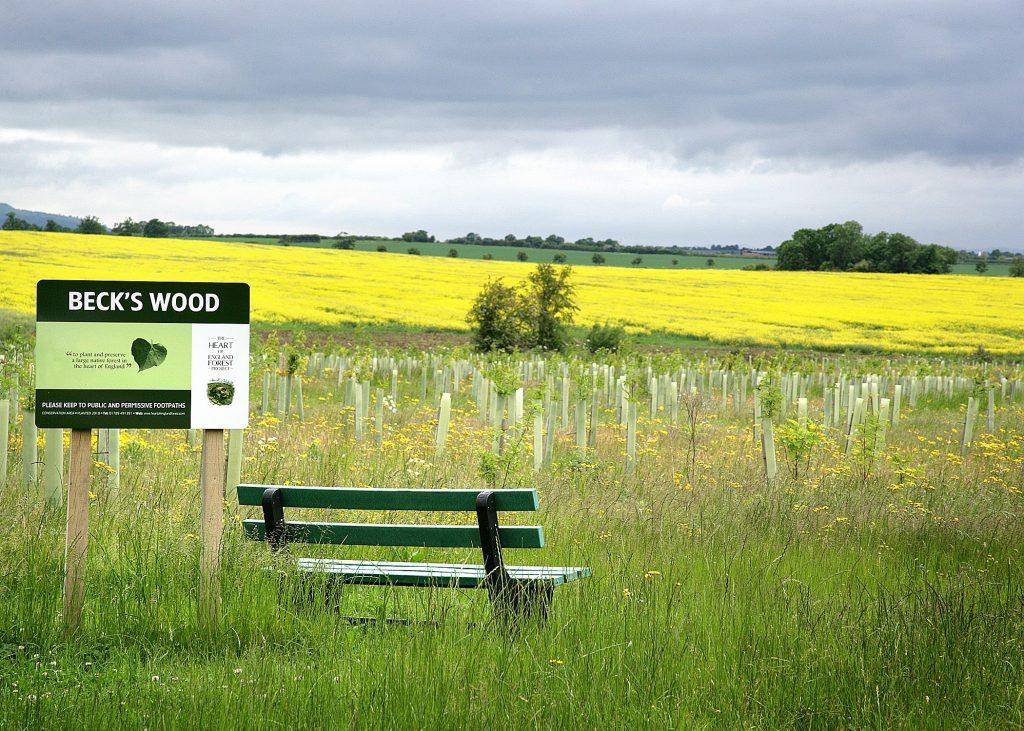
(706, 83)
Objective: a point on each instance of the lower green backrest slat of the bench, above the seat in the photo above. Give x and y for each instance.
(388, 535)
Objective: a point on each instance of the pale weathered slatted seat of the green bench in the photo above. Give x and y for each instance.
(426, 575)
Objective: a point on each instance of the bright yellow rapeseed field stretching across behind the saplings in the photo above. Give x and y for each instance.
(897, 313)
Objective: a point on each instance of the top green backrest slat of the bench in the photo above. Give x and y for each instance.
(390, 499)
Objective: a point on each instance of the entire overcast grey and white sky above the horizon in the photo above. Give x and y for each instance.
(660, 123)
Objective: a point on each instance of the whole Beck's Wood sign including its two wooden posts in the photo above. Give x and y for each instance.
(142, 356)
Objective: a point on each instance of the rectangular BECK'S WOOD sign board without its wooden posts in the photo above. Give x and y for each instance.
(142, 355)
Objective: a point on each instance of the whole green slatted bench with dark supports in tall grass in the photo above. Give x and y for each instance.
(514, 590)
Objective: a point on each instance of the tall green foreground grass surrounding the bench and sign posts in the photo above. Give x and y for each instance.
(858, 596)
